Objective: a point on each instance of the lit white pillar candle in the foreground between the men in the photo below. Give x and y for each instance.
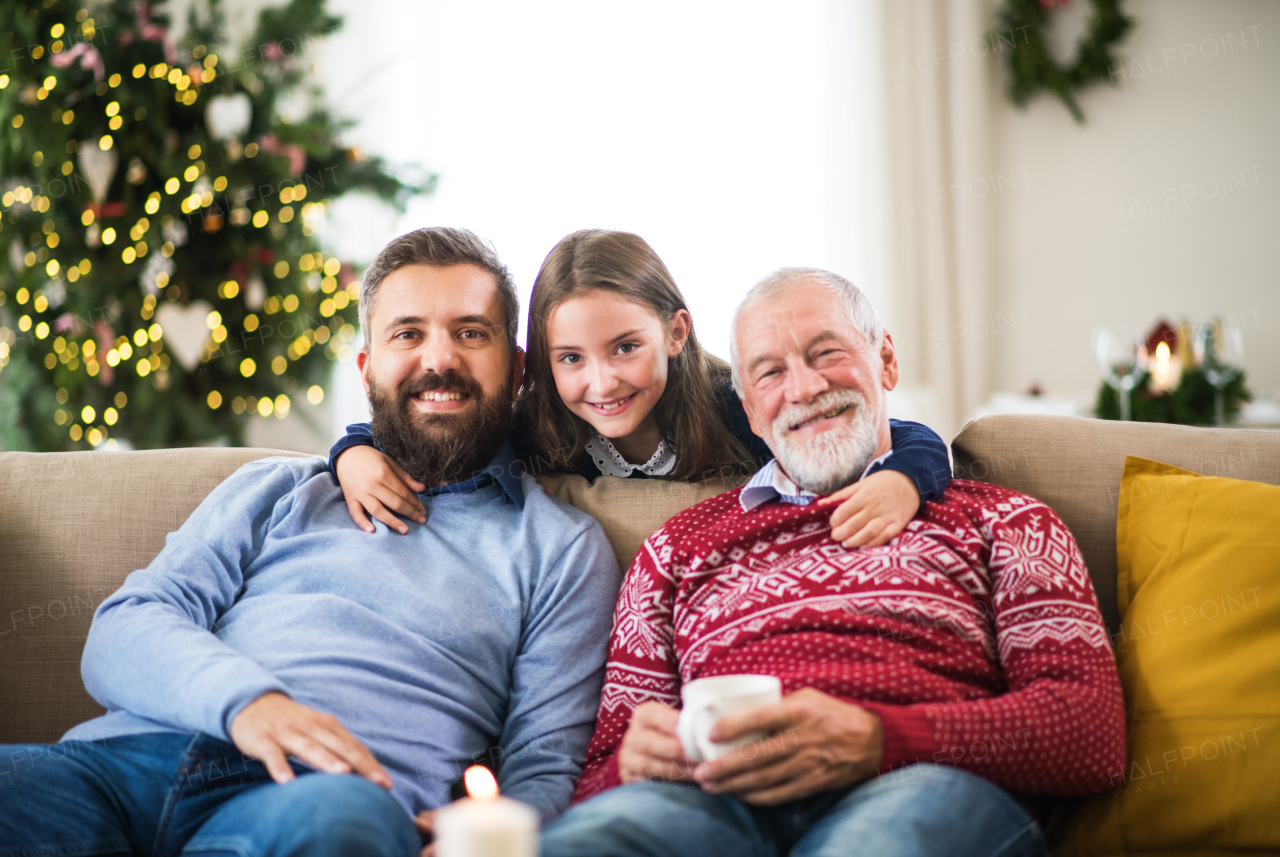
(486, 824)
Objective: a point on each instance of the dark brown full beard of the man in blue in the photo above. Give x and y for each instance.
(440, 448)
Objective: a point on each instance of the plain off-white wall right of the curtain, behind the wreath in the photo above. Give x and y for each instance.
(1167, 203)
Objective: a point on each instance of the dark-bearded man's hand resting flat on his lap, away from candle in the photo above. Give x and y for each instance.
(273, 727)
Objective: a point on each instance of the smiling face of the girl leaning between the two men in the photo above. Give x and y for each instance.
(610, 363)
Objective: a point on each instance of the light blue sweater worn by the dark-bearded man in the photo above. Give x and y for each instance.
(486, 627)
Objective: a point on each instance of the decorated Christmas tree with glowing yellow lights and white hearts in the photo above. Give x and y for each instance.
(164, 282)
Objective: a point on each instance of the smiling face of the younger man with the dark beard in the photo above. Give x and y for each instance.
(438, 370)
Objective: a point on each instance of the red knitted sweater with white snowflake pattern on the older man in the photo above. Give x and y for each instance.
(975, 635)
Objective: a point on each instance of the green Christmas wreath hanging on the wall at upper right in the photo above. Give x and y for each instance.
(1032, 67)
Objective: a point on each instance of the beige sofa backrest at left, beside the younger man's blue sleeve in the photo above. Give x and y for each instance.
(74, 526)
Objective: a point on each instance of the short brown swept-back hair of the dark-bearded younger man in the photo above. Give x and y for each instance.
(440, 248)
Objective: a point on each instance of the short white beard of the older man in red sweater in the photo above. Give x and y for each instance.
(834, 459)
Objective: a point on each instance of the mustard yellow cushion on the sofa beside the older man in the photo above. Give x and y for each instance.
(1200, 661)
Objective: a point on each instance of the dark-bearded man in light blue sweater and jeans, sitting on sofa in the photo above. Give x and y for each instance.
(280, 682)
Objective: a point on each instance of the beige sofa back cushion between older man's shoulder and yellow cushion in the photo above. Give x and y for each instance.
(1075, 466)
